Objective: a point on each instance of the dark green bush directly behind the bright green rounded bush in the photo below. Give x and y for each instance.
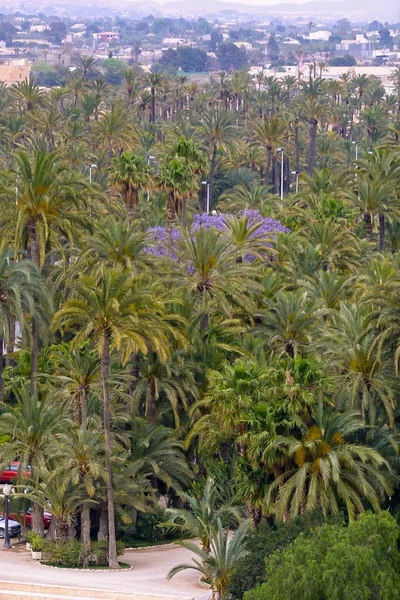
(262, 542)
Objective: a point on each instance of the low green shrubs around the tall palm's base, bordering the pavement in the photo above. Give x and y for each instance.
(75, 554)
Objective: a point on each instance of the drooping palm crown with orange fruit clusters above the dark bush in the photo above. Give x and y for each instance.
(327, 469)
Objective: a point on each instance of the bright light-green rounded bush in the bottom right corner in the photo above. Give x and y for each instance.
(358, 562)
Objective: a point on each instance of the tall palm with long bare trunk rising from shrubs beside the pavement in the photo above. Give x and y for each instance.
(104, 309)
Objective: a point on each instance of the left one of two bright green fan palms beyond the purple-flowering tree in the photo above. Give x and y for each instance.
(130, 173)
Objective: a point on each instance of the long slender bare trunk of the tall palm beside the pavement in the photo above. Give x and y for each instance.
(105, 370)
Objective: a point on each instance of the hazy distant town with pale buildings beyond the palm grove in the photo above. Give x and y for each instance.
(50, 48)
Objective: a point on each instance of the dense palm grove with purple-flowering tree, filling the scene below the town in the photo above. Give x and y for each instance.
(162, 349)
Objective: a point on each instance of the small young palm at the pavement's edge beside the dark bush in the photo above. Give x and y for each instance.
(217, 566)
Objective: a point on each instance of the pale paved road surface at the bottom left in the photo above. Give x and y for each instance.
(150, 567)
